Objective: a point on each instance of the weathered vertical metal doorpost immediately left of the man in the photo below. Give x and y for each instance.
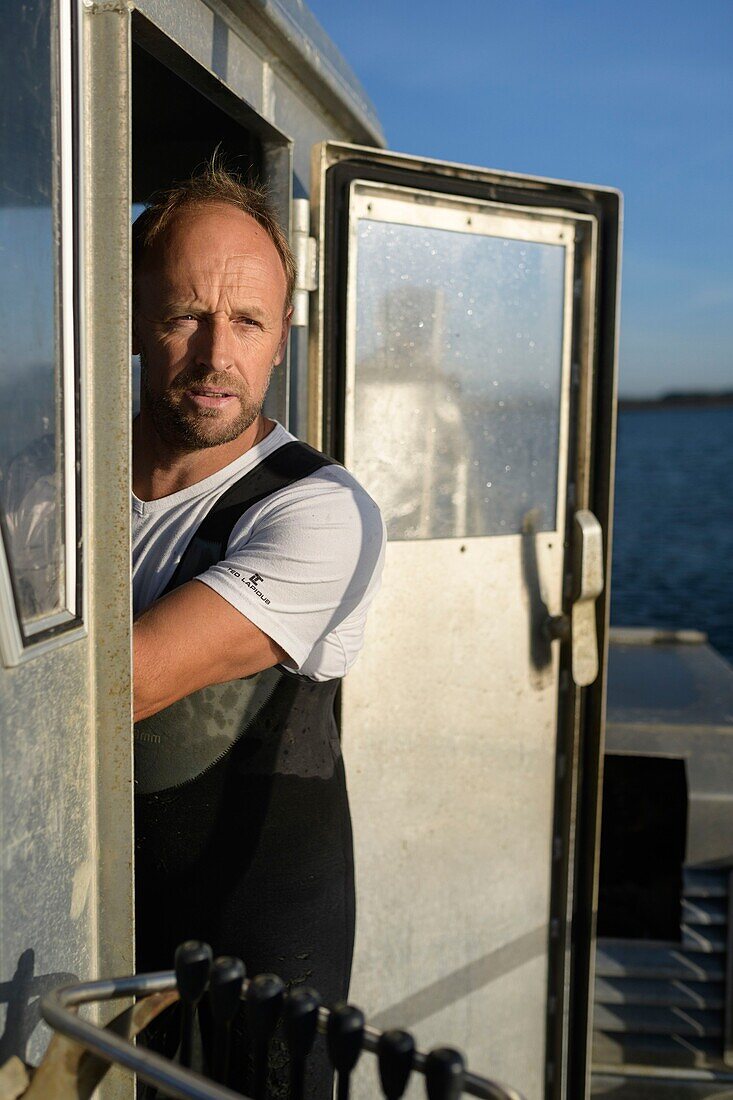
(106, 251)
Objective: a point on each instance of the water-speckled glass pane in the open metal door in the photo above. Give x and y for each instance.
(458, 370)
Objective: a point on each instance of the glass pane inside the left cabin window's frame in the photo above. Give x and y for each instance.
(31, 444)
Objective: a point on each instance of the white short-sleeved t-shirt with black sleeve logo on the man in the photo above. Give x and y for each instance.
(303, 565)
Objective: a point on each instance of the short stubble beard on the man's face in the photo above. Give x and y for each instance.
(205, 427)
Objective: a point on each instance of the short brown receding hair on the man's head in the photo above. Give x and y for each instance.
(214, 184)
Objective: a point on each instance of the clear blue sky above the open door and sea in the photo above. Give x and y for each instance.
(637, 96)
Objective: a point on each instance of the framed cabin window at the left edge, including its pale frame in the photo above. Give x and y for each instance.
(39, 400)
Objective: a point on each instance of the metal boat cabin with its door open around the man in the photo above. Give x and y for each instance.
(454, 344)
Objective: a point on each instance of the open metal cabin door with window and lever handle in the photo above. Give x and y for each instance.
(466, 339)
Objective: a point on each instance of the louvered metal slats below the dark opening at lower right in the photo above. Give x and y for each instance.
(664, 1004)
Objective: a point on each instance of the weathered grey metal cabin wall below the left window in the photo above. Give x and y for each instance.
(48, 871)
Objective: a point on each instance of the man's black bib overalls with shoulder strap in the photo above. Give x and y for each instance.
(243, 829)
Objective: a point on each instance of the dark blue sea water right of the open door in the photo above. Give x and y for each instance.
(673, 543)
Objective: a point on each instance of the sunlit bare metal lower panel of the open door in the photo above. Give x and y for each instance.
(453, 889)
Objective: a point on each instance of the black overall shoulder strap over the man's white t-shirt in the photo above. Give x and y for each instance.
(290, 464)
